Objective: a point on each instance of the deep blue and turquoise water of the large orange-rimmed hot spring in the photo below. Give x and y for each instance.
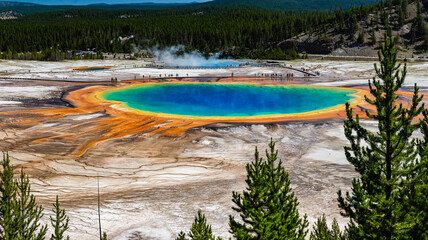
(227, 100)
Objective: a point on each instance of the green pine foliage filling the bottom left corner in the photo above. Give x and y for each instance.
(19, 213)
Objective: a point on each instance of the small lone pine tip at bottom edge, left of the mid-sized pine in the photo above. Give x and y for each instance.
(200, 230)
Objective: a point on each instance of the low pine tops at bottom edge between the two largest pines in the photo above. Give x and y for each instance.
(321, 230)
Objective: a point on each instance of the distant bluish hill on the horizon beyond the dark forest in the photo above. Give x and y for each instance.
(298, 5)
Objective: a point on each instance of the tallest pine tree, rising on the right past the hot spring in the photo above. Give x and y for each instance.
(375, 204)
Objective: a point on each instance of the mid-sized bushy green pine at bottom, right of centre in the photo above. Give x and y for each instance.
(268, 208)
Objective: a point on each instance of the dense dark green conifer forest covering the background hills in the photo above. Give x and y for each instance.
(237, 31)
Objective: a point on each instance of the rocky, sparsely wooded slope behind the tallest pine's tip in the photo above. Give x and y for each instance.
(361, 38)
